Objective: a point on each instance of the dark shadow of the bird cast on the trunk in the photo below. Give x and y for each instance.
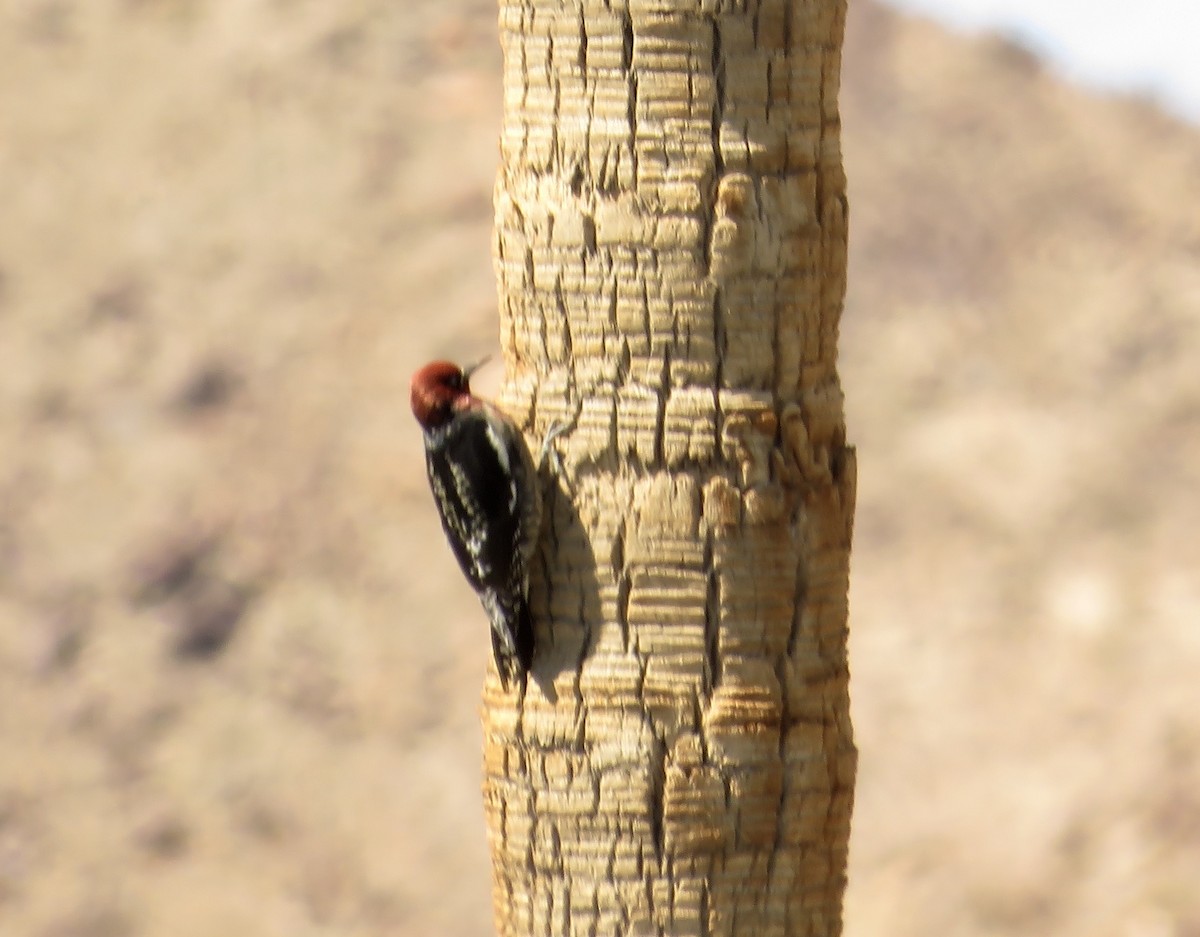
(565, 596)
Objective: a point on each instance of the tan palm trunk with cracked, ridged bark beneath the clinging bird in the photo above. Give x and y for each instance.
(671, 253)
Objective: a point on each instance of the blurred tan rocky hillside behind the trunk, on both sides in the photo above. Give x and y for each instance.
(239, 674)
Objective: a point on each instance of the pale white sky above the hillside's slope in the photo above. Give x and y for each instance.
(1150, 47)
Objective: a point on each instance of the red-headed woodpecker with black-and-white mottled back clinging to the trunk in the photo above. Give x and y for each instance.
(487, 490)
